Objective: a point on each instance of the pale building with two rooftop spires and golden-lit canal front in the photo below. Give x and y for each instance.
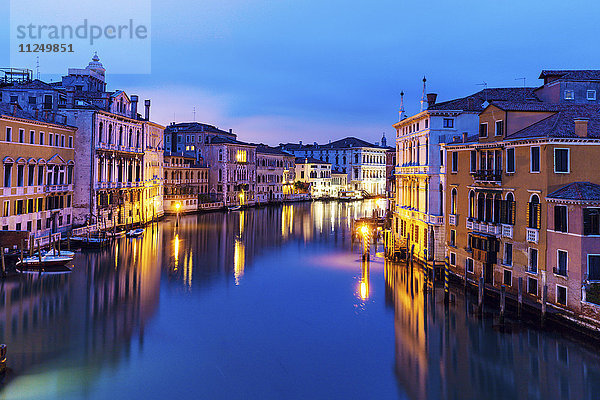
(420, 177)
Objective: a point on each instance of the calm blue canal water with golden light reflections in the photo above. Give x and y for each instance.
(268, 303)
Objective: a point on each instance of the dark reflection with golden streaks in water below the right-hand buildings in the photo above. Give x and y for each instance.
(451, 354)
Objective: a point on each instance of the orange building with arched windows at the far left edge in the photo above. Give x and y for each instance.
(37, 171)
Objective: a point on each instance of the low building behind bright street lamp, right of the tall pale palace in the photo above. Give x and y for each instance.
(186, 182)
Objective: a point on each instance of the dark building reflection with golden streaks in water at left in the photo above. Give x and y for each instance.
(85, 318)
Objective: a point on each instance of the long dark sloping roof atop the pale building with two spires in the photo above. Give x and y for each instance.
(475, 102)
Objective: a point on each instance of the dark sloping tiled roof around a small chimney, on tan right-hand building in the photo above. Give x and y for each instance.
(562, 123)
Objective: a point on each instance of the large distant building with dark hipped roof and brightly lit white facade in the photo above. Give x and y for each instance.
(364, 163)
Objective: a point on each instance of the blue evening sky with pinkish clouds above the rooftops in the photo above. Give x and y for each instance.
(280, 71)
